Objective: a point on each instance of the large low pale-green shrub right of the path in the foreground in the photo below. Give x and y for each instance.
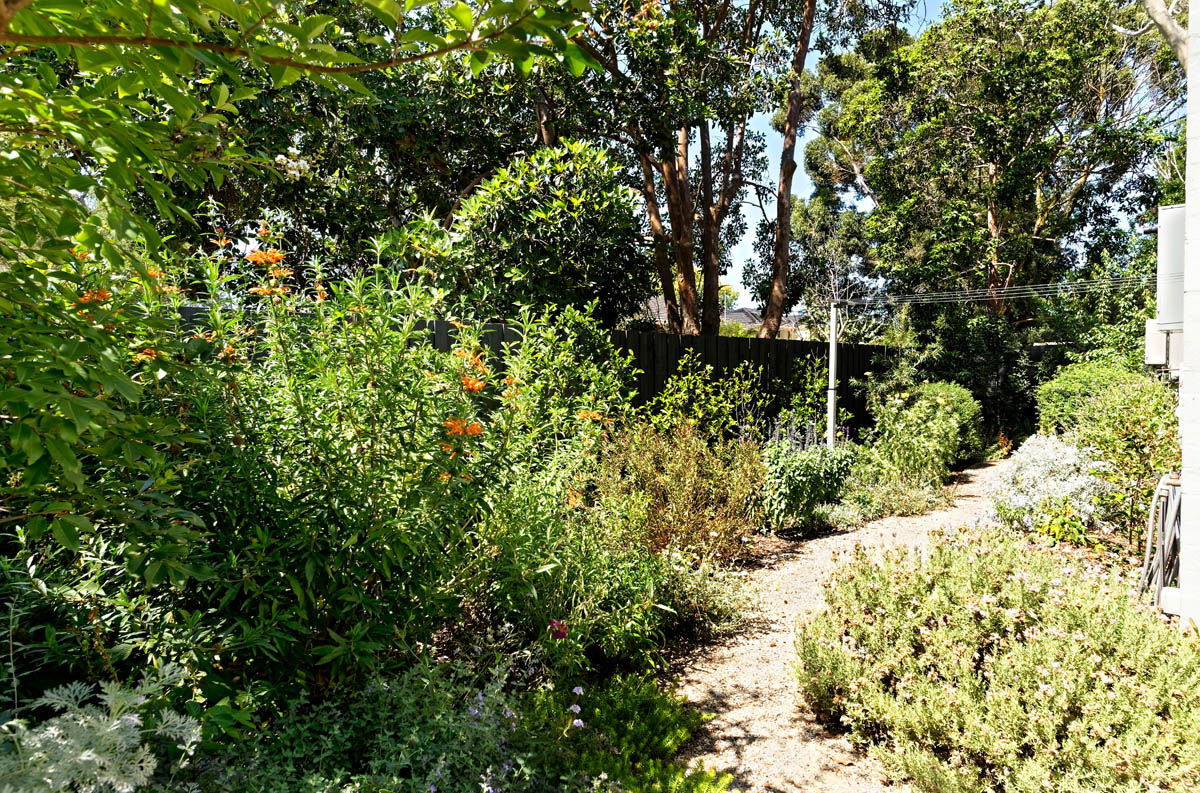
(989, 665)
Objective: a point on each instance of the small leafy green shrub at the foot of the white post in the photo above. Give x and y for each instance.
(800, 482)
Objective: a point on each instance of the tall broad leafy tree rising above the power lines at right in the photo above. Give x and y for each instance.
(980, 182)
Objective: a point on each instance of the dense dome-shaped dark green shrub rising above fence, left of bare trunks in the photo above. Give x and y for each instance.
(555, 229)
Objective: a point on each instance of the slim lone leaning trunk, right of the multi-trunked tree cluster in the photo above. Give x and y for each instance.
(773, 316)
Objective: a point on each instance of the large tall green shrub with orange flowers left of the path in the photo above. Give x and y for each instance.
(346, 466)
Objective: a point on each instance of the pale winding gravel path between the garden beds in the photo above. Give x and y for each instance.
(763, 735)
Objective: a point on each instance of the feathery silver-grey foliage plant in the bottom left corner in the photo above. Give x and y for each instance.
(97, 743)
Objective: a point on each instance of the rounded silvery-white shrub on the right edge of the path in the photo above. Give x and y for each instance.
(1053, 488)
